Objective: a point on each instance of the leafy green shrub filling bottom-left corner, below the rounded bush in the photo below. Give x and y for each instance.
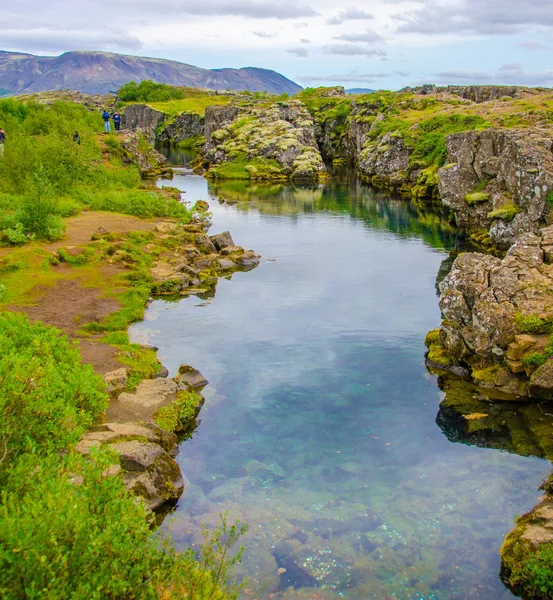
(76, 533)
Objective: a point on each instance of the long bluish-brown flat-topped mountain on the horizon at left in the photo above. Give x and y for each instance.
(102, 72)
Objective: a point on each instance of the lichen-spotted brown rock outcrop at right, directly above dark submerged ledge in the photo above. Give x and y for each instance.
(497, 316)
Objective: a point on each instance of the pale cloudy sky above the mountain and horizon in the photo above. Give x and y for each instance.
(383, 44)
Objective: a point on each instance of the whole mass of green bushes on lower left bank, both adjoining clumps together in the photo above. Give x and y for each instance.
(68, 529)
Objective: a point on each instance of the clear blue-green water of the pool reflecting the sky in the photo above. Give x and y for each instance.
(319, 427)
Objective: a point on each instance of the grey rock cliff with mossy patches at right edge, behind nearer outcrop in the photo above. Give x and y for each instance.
(499, 181)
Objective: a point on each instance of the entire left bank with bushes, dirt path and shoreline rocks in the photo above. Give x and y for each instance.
(89, 276)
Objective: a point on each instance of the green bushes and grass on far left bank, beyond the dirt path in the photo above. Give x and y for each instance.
(45, 176)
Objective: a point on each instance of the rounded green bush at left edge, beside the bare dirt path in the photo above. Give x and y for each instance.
(48, 397)
